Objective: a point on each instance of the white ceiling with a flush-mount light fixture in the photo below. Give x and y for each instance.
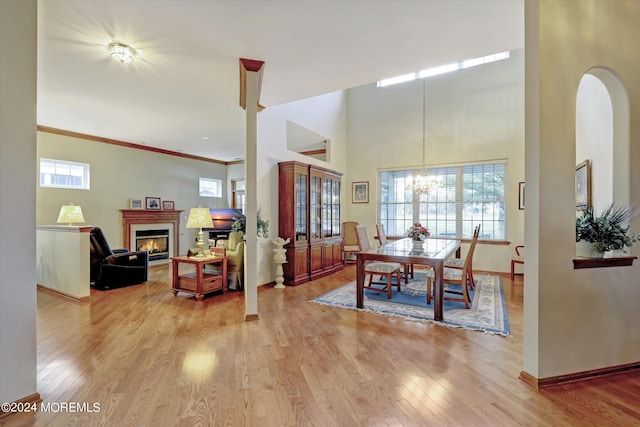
(184, 85)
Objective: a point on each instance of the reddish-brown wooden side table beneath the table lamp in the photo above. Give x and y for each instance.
(199, 282)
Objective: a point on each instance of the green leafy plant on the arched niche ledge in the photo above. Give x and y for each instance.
(608, 231)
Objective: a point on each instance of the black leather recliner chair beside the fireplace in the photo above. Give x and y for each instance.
(115, 268)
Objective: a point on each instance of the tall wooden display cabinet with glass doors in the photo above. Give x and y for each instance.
(309, 214)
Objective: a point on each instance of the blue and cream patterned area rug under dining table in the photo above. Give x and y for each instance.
(488, 312)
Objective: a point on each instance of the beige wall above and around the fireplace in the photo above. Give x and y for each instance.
(119, 174)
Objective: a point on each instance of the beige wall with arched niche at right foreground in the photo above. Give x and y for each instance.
(575, 320)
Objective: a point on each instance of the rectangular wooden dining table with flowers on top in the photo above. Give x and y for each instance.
(433, 252)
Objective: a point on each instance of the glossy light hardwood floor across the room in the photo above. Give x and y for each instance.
(148, 358)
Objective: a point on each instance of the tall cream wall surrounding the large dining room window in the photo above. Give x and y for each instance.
(473, 114)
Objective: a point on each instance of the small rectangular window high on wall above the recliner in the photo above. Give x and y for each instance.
(64, 174)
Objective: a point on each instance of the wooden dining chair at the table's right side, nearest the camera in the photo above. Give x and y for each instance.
(454, 277)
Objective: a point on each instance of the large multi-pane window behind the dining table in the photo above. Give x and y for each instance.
(464, 196)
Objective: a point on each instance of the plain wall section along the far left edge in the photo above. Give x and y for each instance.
(18, 21)
